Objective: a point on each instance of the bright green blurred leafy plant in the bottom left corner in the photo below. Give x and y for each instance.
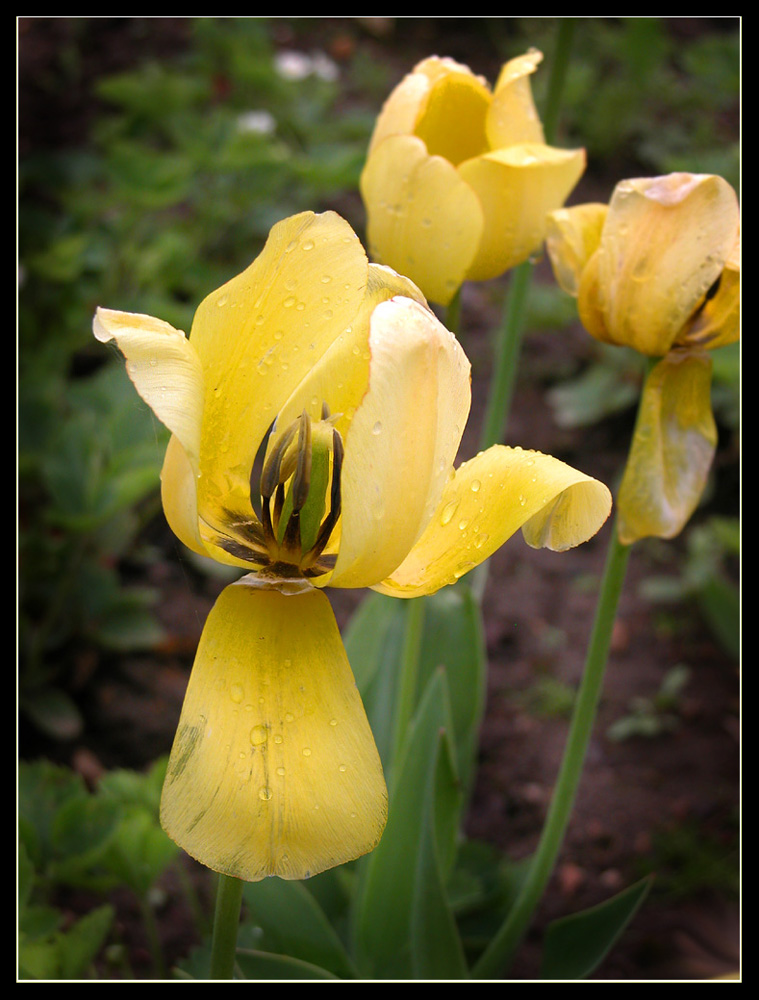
(71, 838)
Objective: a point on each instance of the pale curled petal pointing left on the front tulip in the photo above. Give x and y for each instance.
(165, 369)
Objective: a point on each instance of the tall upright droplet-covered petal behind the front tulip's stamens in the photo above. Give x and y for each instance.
(257, 337)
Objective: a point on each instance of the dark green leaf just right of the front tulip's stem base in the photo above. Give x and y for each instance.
(294, 924)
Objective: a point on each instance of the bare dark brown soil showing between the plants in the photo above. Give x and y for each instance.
(537, 609)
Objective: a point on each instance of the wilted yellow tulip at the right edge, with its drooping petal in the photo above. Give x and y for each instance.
(658, 270)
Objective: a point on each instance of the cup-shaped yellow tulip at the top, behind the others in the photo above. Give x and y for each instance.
(459, 179)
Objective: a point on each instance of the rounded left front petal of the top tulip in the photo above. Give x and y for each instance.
(424, 220)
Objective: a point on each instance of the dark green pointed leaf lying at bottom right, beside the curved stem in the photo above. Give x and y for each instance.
(576, 945)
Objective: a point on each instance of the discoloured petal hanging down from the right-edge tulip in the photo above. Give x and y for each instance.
(672, 449)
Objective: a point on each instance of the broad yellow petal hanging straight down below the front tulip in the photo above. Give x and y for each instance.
(274, 770)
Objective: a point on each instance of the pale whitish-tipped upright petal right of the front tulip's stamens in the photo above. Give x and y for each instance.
(402, 441)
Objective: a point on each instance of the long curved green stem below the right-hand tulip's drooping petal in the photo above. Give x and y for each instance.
(500, 953)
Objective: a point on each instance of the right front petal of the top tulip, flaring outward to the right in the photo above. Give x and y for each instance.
(517, 187)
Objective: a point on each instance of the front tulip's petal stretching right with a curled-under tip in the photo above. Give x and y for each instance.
(488, 500)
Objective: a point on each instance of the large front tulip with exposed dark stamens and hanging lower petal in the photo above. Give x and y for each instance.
(334, 381)
